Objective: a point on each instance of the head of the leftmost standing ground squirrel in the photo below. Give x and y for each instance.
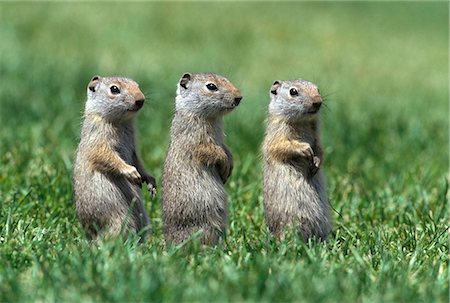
(114, 98)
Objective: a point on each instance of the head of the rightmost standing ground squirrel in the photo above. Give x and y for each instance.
(295, 100)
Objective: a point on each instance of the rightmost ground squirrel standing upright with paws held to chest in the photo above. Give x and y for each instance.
(294, 184)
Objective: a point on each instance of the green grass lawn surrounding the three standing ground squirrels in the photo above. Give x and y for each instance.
(384, 70)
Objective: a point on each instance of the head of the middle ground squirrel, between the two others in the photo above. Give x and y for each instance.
(206, 94)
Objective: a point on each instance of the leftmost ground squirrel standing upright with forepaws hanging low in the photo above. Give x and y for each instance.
(107, 171)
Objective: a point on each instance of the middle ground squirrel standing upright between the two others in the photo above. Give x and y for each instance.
(198, 162)
